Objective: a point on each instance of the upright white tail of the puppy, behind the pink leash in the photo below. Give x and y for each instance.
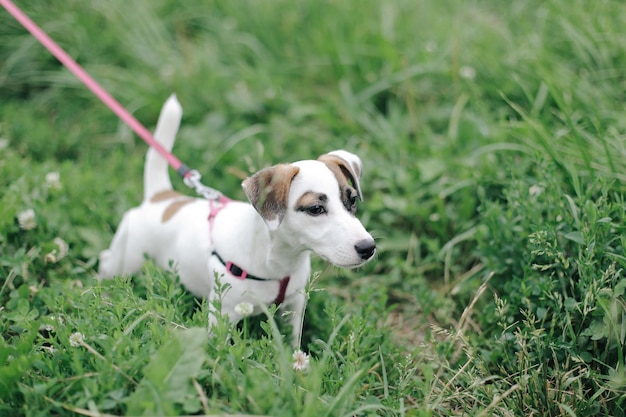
(155, 176)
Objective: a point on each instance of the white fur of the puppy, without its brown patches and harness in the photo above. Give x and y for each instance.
(271, 248)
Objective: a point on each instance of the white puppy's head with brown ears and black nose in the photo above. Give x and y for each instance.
(313, 205)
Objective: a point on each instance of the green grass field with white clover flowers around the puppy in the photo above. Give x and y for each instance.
(493, 137)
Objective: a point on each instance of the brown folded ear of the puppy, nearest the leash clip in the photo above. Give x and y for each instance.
(268, 191)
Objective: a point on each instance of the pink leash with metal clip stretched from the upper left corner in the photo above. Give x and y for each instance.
(191, 177)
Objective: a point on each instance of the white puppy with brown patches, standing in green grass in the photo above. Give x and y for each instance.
(261, 249)
